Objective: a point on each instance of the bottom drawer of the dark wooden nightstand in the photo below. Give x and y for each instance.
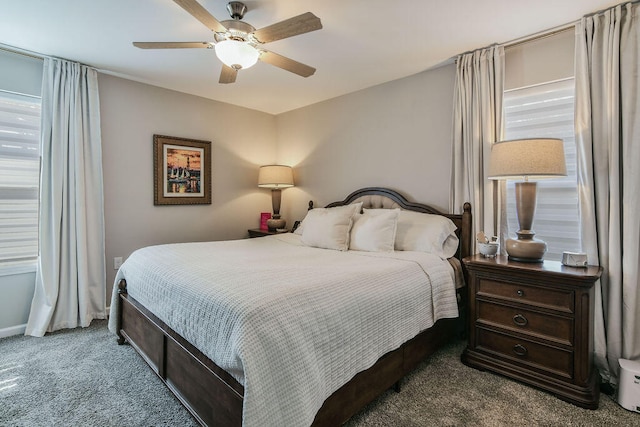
(537, 356)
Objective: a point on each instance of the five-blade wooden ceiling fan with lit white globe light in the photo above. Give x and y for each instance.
(238, 44)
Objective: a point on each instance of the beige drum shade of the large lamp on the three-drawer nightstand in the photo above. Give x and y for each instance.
(530, 158)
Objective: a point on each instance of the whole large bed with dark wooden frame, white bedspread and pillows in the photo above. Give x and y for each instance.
(284, 330)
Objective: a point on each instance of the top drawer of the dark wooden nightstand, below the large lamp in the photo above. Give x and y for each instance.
(540, 297)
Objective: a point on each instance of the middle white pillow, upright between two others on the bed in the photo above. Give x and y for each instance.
(374, 230)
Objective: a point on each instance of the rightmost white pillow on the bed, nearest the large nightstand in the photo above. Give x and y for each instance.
(426, 233)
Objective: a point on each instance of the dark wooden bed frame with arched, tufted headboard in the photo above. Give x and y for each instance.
(214, 397)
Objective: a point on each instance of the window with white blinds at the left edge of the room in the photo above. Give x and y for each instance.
(19, 178)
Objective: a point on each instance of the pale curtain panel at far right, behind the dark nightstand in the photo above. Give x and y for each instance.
(608, 141)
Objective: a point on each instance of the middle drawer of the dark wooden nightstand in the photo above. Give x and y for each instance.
(554, 328)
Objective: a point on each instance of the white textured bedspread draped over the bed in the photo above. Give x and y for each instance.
(289, 322)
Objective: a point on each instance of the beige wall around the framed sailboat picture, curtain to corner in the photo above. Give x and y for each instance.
(241, 139)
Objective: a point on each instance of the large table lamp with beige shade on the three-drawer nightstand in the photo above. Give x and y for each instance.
(526, 159)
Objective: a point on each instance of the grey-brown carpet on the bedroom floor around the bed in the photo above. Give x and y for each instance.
(82, 377)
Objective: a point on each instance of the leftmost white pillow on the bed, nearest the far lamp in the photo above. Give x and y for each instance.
(329, 228)
